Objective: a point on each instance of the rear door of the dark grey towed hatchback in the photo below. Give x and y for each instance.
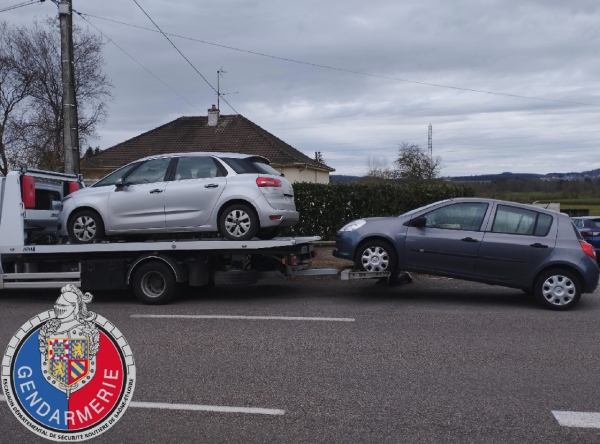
(517, 241)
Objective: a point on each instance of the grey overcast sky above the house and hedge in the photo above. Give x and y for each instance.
(538, 48)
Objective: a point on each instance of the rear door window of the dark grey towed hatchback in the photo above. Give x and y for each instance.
(513, 220)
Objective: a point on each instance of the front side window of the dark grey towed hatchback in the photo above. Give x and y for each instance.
(466, 216)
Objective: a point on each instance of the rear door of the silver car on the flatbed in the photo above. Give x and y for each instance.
(190, 197)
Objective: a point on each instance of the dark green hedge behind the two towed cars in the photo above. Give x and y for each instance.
(325, 208)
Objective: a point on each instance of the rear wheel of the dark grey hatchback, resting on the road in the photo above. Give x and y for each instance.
(557, 289)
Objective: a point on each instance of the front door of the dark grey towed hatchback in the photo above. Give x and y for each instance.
(450, 240)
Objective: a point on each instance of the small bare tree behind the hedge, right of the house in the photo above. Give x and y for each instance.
(413, 163)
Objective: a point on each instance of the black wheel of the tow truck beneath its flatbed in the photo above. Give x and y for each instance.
(154, 283)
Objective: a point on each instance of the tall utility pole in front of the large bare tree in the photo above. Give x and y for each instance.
(70, 122)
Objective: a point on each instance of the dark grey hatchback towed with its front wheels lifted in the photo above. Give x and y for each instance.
(483, 240)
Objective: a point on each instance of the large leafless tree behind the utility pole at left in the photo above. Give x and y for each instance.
(38, 123)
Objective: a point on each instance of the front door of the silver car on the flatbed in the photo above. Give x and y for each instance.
(140, 203)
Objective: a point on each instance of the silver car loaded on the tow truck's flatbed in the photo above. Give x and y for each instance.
(237, 195)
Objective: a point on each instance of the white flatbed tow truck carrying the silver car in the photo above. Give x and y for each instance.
(33, 256)
